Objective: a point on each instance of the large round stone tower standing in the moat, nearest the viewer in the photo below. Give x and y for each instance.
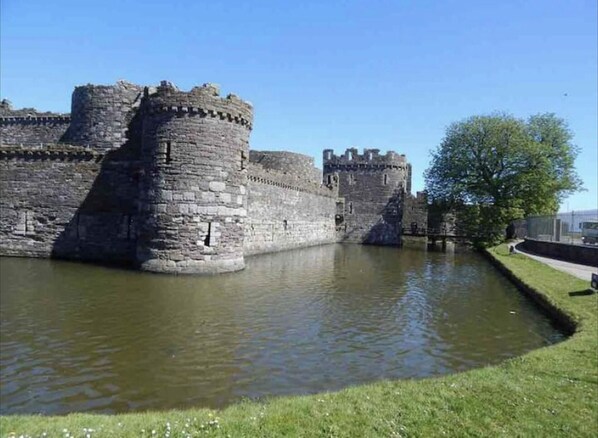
(195, 147)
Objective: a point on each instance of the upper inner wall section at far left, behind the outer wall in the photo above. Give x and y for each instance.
(32, 131)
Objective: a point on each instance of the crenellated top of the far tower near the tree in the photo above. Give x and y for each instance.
(371, 158)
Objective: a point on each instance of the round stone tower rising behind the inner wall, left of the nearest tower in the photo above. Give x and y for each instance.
(100, 115)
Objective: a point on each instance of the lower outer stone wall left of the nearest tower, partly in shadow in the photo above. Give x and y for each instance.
(66, 202)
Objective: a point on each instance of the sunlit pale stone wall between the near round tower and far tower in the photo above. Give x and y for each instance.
(287, 211)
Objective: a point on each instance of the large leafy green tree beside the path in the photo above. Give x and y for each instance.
(495, 169)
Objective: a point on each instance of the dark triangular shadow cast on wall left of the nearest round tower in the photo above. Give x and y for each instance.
(104, 227)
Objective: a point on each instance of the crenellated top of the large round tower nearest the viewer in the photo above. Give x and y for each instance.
(204, 101)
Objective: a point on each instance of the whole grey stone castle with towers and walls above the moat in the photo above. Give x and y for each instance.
(165, 180)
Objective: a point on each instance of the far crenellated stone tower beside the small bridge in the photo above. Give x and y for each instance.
(373, 187)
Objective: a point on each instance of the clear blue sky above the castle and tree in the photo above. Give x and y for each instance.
(325, 74)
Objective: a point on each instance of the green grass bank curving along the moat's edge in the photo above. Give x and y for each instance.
(552, 391)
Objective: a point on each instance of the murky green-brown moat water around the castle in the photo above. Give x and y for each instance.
(78, 337)
